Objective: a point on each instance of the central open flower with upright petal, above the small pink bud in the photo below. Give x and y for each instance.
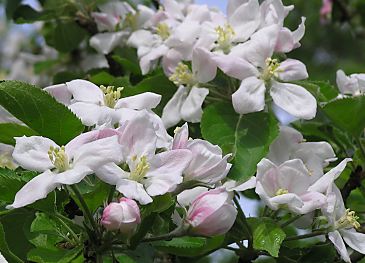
(143, 173)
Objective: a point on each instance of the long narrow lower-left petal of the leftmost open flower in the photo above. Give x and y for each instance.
(37, 188)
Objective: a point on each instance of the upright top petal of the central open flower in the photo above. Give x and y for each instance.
(138, 137)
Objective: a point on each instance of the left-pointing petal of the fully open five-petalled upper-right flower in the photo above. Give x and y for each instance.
(235, 67)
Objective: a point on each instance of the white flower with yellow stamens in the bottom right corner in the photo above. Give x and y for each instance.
(343, 224)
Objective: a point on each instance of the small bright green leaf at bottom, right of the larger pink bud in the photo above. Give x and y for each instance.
(267, 235)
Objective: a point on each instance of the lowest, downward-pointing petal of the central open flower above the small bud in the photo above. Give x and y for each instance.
(134, 190)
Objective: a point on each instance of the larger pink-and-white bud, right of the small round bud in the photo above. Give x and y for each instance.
(212, 213)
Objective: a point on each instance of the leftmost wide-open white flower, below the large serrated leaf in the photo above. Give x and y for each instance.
(60, 165)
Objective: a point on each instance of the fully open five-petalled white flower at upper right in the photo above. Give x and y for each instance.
(258, 72)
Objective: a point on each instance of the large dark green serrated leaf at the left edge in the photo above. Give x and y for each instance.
(39, 111)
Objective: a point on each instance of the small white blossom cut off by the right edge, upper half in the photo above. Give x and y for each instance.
(351, 85)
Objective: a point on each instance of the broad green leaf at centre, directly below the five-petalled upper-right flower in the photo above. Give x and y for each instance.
(248, 136)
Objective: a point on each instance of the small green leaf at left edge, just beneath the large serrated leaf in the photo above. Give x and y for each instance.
(10, 130)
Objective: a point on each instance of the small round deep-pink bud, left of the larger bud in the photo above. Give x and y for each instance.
(123, 216)
